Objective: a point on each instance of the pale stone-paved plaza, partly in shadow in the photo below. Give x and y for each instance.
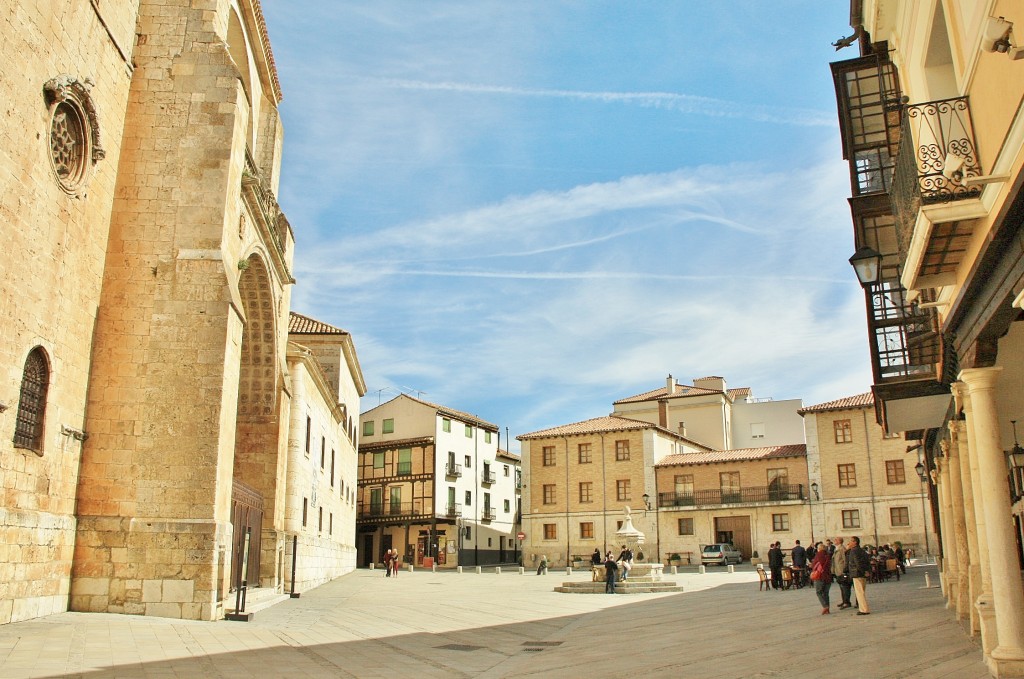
(487, 625)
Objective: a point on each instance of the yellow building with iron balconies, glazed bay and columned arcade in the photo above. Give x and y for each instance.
(933, 129)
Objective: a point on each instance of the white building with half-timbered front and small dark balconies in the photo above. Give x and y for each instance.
(435, 485)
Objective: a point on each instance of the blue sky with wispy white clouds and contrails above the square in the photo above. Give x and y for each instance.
(528, 210)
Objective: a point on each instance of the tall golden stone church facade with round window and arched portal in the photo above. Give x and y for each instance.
(148, 280)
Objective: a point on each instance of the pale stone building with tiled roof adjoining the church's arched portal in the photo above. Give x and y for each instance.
(320, 514)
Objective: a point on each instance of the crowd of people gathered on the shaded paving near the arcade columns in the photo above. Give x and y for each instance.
(847, 564)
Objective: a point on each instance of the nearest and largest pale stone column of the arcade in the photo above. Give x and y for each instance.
(1007, 659)
